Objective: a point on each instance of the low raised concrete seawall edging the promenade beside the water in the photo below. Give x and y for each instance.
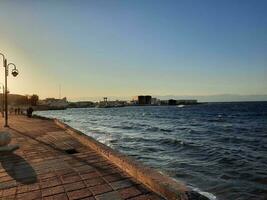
(157, 182)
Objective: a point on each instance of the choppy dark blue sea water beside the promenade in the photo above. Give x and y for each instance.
(219, 148)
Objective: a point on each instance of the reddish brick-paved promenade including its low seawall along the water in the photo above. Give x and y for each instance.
(55, 161)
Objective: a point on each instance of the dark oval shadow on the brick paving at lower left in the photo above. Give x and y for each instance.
(18, 168)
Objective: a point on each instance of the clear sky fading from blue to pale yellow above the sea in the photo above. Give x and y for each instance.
(125, 48)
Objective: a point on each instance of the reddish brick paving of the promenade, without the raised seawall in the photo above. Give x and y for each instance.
(47, 167)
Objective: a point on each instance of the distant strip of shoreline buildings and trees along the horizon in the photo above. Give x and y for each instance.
(24, 101)
